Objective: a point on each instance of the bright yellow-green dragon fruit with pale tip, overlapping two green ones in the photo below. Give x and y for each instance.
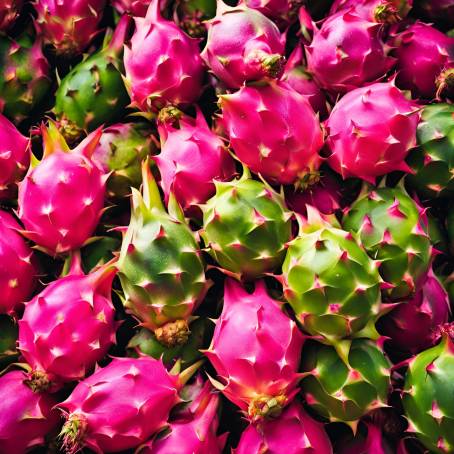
(329, 280)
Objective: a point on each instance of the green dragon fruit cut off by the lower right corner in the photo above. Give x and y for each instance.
(428, 395)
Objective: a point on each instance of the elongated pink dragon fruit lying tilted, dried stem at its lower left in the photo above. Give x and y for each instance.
(120, 406)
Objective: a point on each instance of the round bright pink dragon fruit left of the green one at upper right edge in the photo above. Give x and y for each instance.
(370, 132)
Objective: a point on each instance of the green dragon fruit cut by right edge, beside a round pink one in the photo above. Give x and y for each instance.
(433, 160)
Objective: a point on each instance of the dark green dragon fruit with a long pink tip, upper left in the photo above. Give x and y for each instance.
(93, 93)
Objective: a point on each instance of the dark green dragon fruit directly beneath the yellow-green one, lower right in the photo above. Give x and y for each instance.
(346, 382)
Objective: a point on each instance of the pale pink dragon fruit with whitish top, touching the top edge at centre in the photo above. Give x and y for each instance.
(243, 45)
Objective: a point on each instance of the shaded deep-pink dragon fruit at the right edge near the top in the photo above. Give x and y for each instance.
(422, 54)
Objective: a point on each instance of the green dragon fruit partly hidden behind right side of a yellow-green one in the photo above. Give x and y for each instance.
(393, 230)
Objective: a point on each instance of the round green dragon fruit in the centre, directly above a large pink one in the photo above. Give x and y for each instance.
(246, 227)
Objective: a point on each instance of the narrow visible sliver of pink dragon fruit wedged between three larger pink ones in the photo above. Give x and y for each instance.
(299, 79)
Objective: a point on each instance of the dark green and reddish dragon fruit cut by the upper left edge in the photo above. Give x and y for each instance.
(24, 77)
